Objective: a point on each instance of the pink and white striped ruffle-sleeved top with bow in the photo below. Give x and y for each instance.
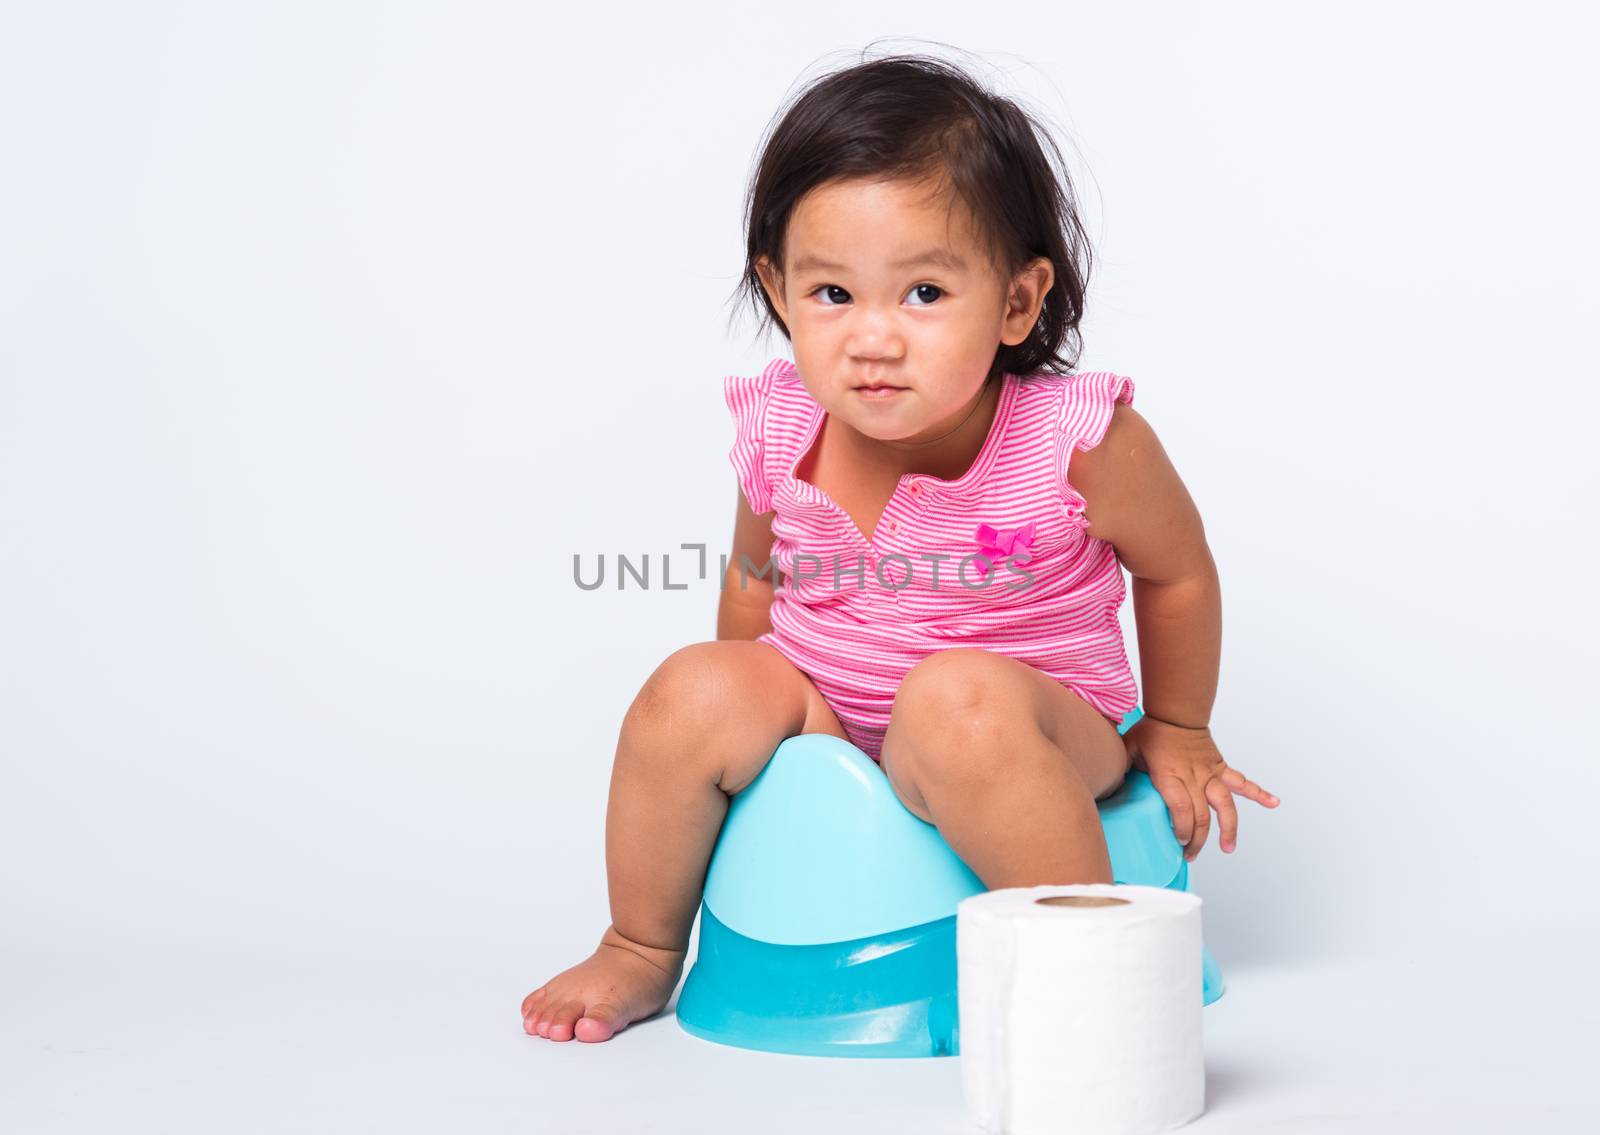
(858, 614)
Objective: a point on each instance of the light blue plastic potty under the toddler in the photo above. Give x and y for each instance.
(828, 920)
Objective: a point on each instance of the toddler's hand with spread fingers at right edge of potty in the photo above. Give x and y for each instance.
(1190, 772)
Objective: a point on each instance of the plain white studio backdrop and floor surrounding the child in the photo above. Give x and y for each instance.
(330, 332)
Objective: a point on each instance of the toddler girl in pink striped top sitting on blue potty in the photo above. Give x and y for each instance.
(935, 513)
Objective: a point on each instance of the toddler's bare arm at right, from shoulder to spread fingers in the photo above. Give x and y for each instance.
(1137, 502)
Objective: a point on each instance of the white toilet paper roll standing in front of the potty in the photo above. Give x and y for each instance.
(1081, 1009)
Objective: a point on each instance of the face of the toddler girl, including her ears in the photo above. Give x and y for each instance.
(858, 315)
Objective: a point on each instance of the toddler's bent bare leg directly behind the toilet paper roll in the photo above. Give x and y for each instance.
(1007, 763)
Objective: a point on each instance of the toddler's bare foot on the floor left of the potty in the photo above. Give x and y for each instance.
(620, 984)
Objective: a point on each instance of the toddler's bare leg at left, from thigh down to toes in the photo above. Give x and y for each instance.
(702, 729)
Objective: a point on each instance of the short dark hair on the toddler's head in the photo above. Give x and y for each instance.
(916, 118)
